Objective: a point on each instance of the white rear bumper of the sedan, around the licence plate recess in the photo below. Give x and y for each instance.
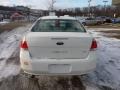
(41, 67)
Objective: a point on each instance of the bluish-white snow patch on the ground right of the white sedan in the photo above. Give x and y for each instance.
(107, 74)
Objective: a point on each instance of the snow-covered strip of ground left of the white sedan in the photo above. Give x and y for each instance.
(9, 42)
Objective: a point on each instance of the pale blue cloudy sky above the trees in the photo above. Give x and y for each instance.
(42, 4)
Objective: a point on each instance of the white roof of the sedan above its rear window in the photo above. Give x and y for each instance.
(56, 17)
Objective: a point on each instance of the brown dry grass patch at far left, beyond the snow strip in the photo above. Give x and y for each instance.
(12, 25)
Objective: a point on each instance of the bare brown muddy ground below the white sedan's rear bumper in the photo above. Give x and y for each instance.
(41, 83)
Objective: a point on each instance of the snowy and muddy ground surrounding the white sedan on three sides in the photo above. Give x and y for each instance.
(105, 77)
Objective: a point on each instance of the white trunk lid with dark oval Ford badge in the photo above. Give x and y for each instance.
(59, 45)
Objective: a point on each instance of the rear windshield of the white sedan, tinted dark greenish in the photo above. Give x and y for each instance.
(58, 26)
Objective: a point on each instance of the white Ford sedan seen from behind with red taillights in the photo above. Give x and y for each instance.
(58, 46)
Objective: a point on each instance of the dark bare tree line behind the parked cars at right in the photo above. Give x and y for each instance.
(110, 11)
